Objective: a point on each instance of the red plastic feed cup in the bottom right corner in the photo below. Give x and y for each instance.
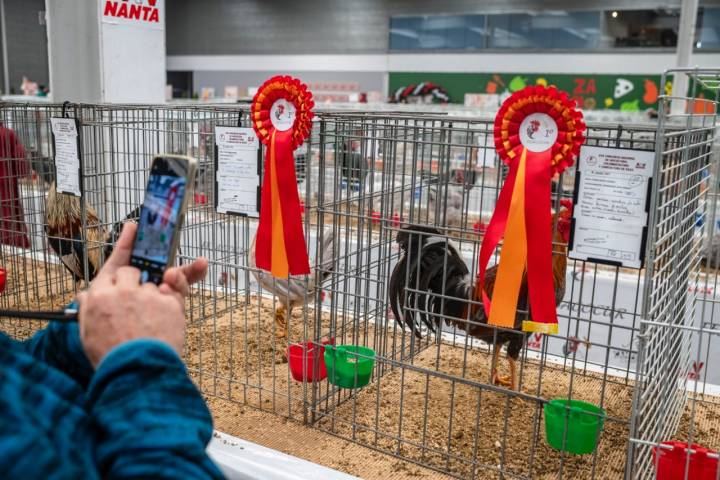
(670, 463)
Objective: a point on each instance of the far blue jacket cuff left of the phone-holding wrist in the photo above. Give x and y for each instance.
(59, 346)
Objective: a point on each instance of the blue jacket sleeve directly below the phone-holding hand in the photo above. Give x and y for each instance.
(150, 419)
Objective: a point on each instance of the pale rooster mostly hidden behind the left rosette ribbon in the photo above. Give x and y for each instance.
(294, 292)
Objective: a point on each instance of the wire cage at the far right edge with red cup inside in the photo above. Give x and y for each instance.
(676, 405)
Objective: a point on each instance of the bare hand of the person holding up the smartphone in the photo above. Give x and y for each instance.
(117, 308)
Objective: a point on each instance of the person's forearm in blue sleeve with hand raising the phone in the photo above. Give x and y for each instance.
(150, 421)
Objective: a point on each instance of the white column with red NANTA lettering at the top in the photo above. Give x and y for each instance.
(107, 50)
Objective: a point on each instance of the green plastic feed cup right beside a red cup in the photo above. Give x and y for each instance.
(349, 366)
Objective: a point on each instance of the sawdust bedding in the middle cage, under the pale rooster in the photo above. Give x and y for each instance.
(237, 355)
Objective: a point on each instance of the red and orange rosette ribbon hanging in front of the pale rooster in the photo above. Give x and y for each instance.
(282, 115)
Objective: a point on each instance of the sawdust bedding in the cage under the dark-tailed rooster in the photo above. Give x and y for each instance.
(451, 425)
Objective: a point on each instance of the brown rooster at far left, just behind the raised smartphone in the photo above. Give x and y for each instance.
(63, 226)
